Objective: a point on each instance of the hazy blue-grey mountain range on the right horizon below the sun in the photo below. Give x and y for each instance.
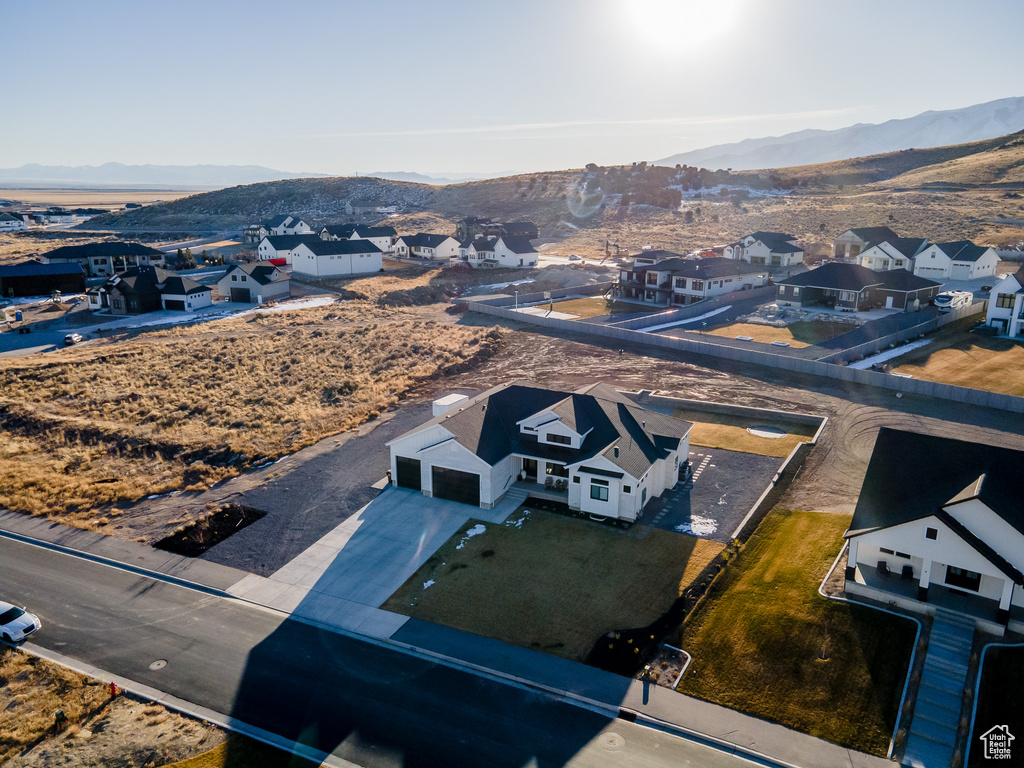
(809, 147)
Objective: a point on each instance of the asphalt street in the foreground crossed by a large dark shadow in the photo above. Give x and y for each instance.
(369, 705)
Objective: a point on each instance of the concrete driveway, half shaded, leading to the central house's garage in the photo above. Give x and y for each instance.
(344, 579)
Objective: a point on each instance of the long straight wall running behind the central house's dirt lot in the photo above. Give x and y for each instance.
(757, 358)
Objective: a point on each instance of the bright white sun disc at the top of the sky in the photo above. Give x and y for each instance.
(680, 24)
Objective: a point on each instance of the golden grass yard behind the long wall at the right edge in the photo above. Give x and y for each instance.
(968, 361)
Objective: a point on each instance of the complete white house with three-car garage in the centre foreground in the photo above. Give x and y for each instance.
(593, 450)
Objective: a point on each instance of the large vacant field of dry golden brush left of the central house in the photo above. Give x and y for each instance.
(185, 408)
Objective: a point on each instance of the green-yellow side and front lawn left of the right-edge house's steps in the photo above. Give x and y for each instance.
(766, 644)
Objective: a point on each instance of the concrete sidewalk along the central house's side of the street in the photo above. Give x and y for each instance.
(659, 707)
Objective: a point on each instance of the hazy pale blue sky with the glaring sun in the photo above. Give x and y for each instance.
(453, 87)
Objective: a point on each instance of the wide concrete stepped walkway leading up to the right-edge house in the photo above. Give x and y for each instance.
(936, 714)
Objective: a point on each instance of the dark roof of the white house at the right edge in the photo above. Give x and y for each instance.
(913, 476)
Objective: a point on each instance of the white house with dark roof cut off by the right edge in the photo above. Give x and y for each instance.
(940, 523)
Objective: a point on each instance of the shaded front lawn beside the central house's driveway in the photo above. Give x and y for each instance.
(554, 584)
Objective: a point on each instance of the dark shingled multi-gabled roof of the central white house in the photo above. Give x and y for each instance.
(629, 437)
